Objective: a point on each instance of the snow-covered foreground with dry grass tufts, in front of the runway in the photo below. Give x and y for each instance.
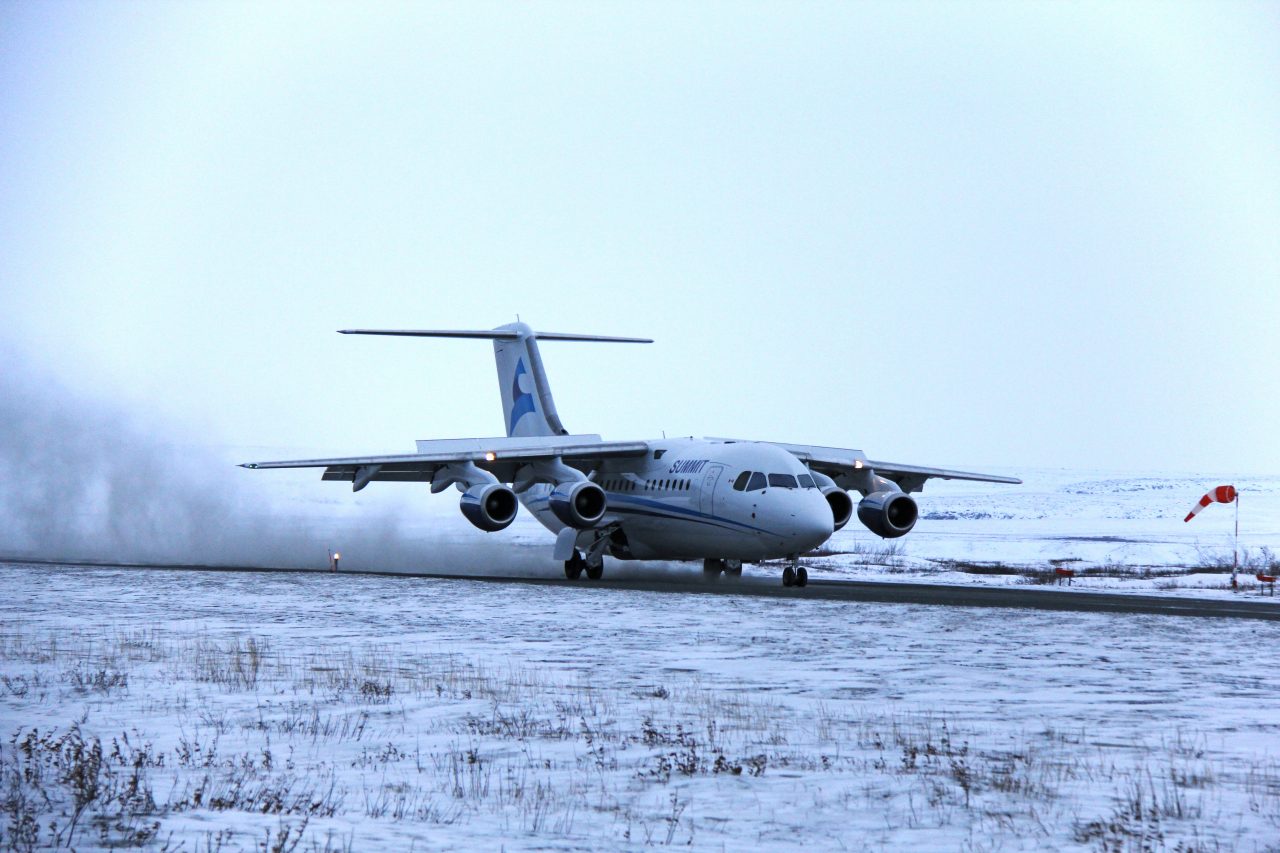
(369, 713)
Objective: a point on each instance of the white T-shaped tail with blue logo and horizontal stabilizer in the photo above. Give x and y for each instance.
(528, 407)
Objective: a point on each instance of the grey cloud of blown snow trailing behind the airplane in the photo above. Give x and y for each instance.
(88, 481)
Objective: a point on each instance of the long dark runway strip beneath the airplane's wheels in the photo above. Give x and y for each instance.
(1242, 606)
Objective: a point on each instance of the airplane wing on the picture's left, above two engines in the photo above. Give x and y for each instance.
(500, 457)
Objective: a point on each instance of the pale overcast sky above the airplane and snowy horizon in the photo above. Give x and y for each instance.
(966, 235)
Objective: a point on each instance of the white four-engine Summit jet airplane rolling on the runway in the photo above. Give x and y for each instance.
(719, 500)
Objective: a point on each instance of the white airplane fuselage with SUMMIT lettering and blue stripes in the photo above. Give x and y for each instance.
(679, 503)
